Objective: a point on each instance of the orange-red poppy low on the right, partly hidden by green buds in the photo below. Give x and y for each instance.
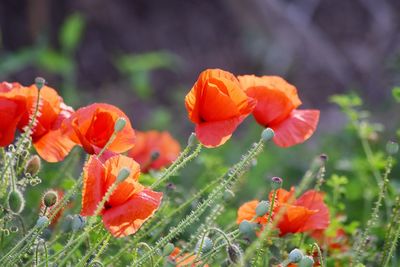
(305, 214)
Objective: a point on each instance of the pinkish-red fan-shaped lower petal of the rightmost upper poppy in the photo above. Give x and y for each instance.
(297, 128)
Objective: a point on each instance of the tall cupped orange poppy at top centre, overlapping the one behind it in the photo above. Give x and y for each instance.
(217, 105)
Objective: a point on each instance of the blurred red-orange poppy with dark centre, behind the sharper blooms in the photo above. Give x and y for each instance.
(154, 150)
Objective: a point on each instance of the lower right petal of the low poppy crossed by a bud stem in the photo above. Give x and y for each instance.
(127, 218)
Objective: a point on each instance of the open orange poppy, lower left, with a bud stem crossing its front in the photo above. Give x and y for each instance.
(129, 206)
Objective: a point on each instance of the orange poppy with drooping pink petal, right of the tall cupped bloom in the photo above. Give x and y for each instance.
(277, 103)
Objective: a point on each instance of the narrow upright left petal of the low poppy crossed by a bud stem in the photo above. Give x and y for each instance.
(93, 186)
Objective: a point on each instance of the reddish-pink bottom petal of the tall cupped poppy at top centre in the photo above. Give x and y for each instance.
(216, 133)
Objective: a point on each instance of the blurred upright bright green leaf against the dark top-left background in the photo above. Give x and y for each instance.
(71, 32)
